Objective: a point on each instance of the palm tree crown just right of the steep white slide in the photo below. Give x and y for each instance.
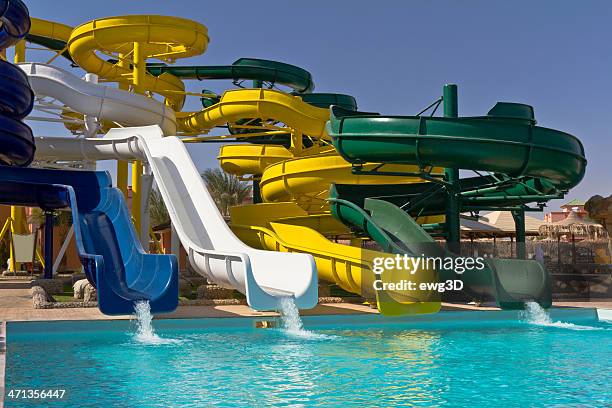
(226, 189)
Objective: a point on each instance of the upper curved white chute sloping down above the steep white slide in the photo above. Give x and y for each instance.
(102, 102)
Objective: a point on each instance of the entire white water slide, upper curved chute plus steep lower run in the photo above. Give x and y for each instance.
(213, 250)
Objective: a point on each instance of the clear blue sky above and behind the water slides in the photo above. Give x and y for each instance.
(394, 56)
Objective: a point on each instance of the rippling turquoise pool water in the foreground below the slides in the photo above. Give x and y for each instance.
(493, 364)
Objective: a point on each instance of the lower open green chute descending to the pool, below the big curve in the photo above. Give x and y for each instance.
(509, 282)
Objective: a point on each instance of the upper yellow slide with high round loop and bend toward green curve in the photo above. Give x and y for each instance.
(134, 39)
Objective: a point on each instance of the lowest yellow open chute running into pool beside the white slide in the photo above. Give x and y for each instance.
(286, 227)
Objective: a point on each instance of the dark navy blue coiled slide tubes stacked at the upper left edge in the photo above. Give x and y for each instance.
(16, 96)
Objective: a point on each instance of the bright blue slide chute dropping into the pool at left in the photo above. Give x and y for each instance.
(112, 256)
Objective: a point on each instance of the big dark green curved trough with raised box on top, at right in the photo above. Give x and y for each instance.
(505, 141)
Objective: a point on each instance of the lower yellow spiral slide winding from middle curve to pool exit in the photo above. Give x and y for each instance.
(295, 218)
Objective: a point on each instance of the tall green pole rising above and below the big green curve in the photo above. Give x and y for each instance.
(453, 225)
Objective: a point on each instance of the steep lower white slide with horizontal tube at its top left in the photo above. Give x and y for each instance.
(213, 249)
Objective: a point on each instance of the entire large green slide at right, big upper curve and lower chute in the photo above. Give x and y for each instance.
(525, 163)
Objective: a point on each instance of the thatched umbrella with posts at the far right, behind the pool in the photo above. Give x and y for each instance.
(572, 225)
